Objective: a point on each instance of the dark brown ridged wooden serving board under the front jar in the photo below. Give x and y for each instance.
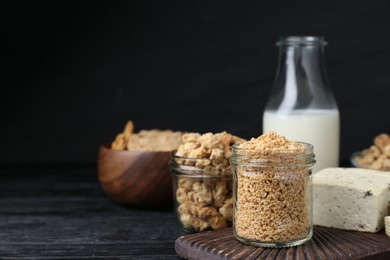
(326, 243)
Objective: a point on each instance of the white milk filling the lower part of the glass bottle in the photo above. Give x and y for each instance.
(321, 128)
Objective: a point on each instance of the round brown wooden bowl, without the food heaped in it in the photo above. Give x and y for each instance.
(136, 178)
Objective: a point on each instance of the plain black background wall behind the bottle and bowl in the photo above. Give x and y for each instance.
(74, 73)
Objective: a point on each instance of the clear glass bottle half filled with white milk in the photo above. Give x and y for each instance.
(301, 105)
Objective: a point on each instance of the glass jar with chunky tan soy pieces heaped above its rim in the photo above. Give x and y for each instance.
(202, 177)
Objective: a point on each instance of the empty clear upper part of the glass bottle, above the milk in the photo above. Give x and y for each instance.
(301, 79)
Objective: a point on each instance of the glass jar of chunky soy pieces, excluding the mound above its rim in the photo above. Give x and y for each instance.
(203, 194)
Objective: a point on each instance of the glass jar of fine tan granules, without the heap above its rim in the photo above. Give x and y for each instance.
(273, 196)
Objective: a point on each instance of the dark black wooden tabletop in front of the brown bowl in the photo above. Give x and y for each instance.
(61, 213)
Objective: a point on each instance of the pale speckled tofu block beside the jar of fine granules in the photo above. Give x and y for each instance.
(351, 198)
